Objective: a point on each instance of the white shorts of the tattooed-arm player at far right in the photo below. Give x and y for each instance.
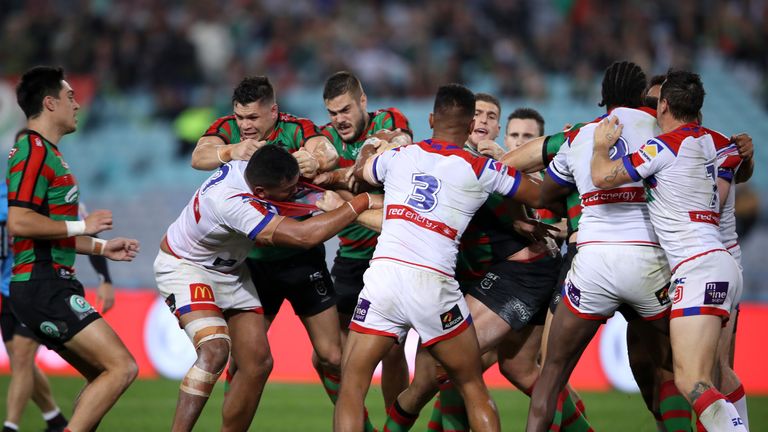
(707, 285)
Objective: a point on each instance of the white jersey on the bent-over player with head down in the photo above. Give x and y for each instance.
(220, 223)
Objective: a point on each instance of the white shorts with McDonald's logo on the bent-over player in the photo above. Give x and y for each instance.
(188, 287)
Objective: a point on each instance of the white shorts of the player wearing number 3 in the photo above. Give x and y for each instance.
(397, 297)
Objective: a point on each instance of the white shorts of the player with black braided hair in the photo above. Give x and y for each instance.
(603, 276)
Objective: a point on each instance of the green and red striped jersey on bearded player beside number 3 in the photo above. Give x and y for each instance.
(355, 241)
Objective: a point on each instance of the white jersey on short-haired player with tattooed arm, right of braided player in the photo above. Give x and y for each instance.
(681, 168)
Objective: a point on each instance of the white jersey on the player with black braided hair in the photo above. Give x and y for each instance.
(619, 215)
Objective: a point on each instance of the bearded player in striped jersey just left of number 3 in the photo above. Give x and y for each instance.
(350, 126)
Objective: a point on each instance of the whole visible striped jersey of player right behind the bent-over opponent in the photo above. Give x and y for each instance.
(291, 133)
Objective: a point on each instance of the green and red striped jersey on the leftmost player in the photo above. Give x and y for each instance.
(39, 179)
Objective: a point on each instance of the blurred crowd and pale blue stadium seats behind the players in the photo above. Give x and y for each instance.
(153, 74)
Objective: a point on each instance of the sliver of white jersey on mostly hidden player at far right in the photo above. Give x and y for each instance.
(728, 161)
